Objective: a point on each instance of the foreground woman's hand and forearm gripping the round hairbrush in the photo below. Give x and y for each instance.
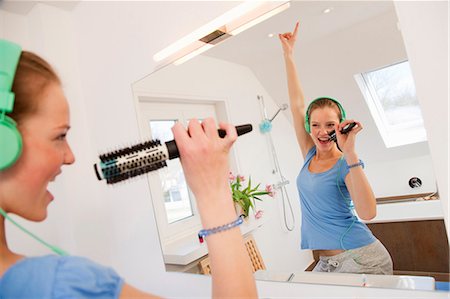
(204, 157)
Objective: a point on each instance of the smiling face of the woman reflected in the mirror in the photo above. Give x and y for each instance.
(322, 122)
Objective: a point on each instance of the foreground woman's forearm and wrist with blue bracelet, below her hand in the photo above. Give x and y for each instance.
(230, 262)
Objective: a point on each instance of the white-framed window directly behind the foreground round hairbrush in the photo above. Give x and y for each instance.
(174, 204)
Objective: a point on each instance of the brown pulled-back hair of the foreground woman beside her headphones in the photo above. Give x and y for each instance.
(32, 76)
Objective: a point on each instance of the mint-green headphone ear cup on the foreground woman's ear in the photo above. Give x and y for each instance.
(10, 143)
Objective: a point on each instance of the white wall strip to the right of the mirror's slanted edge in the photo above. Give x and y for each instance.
(427, 46)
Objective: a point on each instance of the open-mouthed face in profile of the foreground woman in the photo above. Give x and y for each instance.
(23, 187)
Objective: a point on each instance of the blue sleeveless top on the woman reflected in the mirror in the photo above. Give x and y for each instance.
(327, 219)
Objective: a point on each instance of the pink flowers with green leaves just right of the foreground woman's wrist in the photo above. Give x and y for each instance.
(244, 195)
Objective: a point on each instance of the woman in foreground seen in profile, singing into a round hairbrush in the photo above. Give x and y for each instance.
(41, 112)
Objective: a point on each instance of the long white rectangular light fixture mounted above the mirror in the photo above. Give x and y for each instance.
(233, 22)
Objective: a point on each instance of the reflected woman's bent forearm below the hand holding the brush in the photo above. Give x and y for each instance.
(360, 190)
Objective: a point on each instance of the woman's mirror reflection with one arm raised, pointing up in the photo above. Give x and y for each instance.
(330, 180)
